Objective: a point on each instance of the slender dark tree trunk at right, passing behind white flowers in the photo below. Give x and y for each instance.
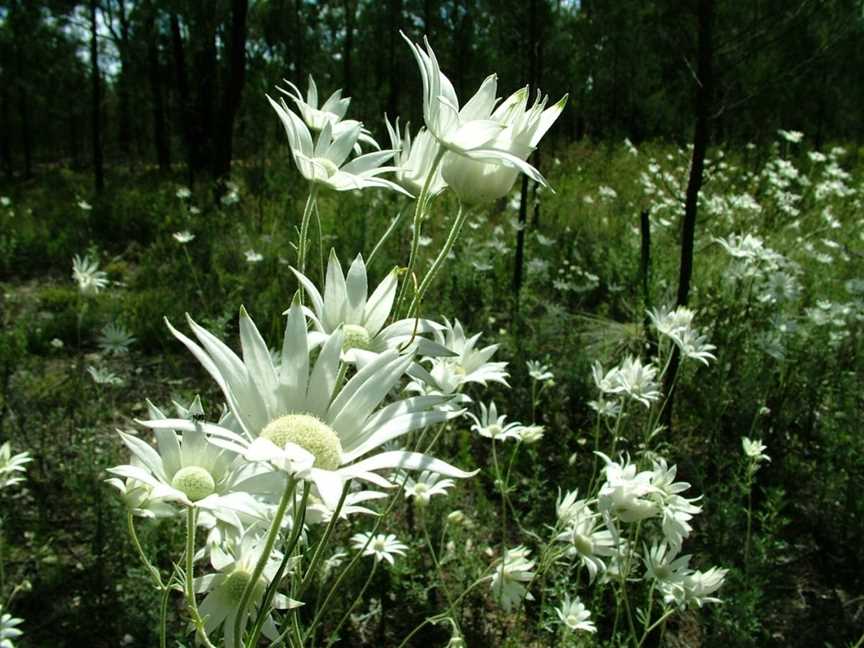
(701, 135)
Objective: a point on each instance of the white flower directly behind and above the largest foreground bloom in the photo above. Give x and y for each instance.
(346, 303)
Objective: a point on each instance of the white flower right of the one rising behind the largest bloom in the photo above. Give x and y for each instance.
(469, 364)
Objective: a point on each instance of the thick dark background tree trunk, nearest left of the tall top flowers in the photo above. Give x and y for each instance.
(233, 89)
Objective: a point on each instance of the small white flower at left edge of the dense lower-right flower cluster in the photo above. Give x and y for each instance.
(585, 533)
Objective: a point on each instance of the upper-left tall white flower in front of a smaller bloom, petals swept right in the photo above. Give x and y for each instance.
(324, 163)
